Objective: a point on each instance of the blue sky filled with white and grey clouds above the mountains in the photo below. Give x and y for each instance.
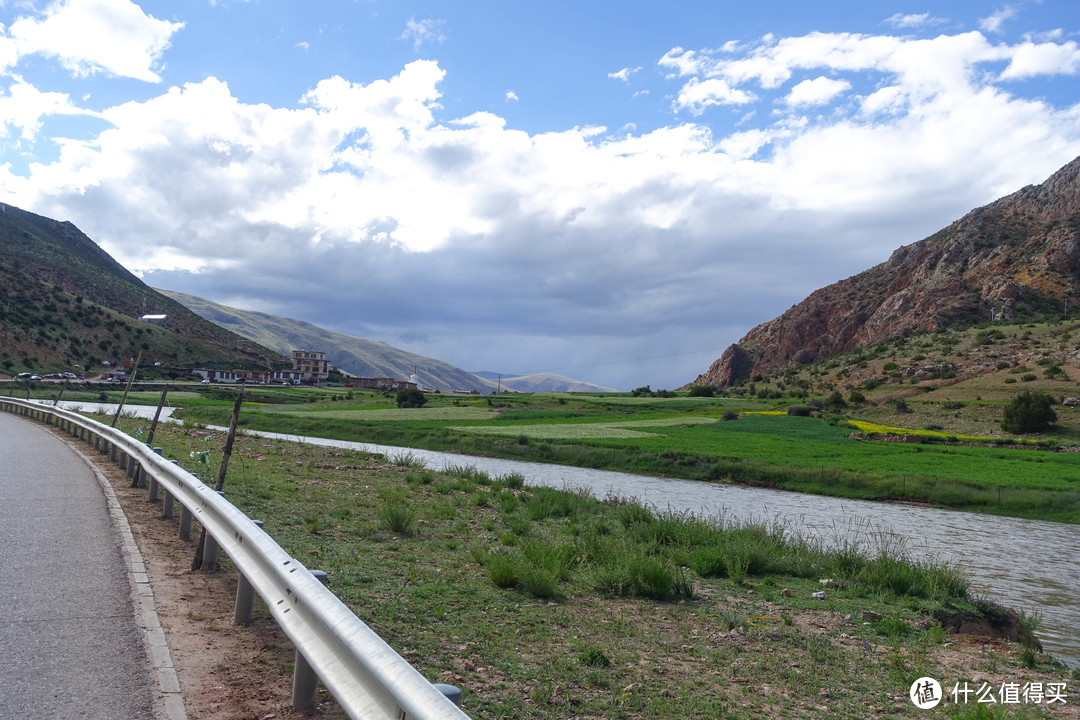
(615, 192)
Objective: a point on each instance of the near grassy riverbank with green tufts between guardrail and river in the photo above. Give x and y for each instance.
(545, 604)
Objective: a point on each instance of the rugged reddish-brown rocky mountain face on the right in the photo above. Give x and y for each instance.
(1017, 257)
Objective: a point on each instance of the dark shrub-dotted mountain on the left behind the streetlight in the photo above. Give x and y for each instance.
(67, 304)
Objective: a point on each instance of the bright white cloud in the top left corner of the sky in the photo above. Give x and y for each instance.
(87, 37)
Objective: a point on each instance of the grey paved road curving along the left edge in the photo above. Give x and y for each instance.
(70, 645)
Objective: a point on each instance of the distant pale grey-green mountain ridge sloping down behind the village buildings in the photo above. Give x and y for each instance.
(369, 359)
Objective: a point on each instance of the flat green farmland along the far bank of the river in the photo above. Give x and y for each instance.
(683, 438)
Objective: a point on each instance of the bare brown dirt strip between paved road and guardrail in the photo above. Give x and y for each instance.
(226, 672)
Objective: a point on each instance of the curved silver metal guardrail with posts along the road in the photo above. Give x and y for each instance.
(366, 675)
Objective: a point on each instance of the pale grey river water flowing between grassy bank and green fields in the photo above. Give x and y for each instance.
(1028, 565)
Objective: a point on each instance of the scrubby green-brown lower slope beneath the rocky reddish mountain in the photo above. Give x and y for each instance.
(955, 382)
